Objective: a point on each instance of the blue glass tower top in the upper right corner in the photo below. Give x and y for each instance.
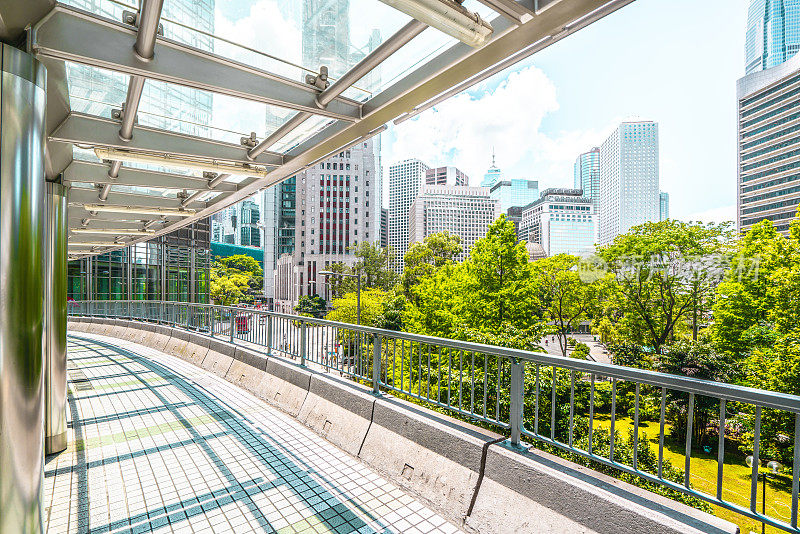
(773, 33)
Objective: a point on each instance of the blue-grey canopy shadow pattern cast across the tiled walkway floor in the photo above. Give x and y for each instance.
(304, 487)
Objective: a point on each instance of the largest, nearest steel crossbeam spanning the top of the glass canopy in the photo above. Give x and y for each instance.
(71, 34)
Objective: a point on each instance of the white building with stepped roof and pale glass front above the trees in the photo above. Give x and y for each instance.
(562, 221)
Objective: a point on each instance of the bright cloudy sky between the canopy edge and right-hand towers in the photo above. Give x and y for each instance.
(674, 62)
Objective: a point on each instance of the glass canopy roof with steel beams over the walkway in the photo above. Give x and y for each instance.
(235, 92)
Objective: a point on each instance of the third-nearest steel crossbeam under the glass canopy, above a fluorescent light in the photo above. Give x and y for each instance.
(87, 172)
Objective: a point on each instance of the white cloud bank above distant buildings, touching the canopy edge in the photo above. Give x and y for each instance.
(463, 130)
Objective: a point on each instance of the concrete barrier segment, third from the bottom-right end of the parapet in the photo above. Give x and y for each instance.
(339, 410)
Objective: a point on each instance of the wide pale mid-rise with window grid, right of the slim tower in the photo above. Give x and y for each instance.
(464, 211)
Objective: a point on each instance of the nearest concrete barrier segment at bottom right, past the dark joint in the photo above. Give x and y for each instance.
(532, 491)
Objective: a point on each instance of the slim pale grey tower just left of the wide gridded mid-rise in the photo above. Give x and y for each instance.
(405, 179)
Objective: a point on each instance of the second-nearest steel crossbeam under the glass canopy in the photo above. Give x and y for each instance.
(84, 129)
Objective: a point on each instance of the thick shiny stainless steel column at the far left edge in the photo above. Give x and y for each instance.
(22, 109)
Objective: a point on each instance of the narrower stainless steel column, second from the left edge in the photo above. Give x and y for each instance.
(55, 319)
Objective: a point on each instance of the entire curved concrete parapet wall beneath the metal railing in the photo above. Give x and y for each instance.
(468, 474)
